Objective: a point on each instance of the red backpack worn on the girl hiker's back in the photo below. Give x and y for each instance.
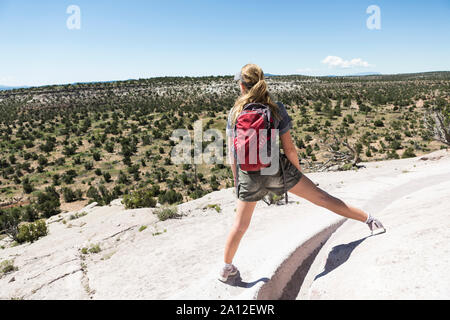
(253, 133)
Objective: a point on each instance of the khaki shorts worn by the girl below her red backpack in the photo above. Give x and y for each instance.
(252, 186)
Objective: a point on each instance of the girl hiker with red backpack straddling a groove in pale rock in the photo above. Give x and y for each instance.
(253, 112)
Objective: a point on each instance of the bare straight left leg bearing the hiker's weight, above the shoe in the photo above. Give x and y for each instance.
(244, 214)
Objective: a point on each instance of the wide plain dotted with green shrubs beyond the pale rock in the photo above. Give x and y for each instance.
(101, 141)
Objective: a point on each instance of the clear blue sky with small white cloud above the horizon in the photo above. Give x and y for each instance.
(140, 38)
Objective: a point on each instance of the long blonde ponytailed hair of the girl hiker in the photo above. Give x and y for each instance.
(252, 77)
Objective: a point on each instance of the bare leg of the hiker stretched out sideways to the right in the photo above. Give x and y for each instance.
(309, 191)
